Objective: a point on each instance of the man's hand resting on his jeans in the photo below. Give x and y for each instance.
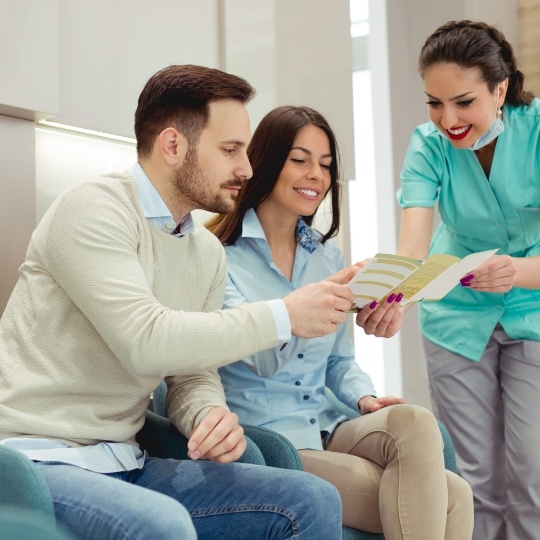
(219, 437)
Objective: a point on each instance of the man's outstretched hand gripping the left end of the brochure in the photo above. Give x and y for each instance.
(316, 309)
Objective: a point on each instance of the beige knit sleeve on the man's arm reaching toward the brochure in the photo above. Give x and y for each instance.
(91, 243)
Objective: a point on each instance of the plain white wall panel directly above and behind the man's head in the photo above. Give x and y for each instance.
(109, 49)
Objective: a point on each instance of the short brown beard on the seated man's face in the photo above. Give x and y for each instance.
(192, 184)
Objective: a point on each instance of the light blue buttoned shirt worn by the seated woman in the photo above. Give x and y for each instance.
(284, 389)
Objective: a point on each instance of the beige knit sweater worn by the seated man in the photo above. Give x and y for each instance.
(105, 307)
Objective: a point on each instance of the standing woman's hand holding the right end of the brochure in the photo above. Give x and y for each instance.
(497, 274)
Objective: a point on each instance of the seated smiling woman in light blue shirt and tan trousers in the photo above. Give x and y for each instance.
(387, 464)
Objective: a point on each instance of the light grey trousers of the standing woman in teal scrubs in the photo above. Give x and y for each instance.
(491, 409)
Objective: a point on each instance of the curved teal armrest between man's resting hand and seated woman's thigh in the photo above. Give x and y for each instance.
(276, 449)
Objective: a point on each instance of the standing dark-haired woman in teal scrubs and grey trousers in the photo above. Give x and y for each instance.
(479, 157)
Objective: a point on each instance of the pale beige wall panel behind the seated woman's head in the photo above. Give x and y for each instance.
(296, 53)
